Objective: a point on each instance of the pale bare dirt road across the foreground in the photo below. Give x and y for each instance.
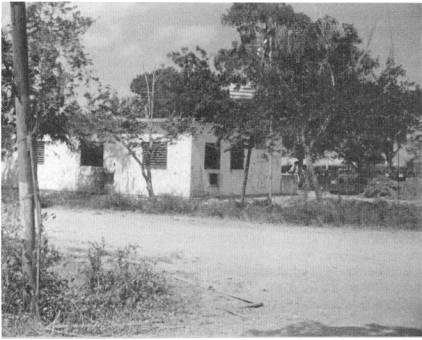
(311, 281)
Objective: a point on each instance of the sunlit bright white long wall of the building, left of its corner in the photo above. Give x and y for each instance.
(62, 171)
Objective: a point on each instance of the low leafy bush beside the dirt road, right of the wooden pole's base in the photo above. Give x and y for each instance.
(119, 284)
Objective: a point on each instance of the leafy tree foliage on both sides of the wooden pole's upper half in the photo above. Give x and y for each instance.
(58, 67)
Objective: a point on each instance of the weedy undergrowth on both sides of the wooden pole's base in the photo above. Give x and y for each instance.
(111, 283)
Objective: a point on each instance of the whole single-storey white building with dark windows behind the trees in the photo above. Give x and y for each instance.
(191, 166)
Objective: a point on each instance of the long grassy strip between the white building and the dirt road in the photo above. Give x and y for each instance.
(330, 211)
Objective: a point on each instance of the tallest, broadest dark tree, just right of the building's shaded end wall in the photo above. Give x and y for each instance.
(301, 71)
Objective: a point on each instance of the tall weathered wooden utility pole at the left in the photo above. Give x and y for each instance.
(26, 187)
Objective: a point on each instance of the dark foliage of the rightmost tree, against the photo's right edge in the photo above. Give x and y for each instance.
(379, 114)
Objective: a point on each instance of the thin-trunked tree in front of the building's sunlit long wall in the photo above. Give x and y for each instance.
(141, 123)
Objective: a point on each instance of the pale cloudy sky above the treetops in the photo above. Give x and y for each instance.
(128, 38)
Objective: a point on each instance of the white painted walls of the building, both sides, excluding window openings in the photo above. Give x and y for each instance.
(185, 174)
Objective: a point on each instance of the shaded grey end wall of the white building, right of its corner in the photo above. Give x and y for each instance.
(230, 181)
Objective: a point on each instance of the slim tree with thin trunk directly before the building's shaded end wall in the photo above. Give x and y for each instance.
(205, 97)
